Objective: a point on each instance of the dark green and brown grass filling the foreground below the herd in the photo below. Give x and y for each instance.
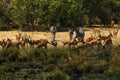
(60, 64)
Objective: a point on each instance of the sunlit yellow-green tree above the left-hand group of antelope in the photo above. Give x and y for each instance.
(26, 12)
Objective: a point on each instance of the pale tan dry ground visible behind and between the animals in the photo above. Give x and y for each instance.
(60, 36)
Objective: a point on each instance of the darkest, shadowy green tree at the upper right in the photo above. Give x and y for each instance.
(105, 10)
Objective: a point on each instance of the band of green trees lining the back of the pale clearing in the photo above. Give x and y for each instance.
(41, 14)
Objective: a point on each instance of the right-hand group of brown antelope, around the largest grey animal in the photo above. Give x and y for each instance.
(95, 40)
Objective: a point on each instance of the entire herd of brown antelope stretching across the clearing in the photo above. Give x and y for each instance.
(95, 40)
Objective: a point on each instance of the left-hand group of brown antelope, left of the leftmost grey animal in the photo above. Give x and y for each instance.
(25, 40)
